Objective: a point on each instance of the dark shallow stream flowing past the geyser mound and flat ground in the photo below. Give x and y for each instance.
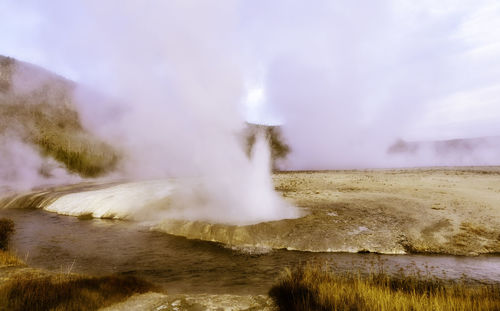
(98, 246)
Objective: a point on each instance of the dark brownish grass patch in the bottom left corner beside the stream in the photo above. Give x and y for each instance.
(68, 292)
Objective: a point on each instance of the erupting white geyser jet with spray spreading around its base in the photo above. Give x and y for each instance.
(244, 198)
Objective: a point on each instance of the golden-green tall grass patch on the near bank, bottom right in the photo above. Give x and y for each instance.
(313, 287)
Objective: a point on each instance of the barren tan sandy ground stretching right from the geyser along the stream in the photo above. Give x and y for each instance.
(448, 211)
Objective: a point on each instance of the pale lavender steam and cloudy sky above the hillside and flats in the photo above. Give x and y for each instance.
(344, 80)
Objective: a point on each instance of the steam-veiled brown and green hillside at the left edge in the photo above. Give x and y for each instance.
(36, 108)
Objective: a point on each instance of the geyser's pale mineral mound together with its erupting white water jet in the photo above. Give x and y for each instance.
(241, 198)
